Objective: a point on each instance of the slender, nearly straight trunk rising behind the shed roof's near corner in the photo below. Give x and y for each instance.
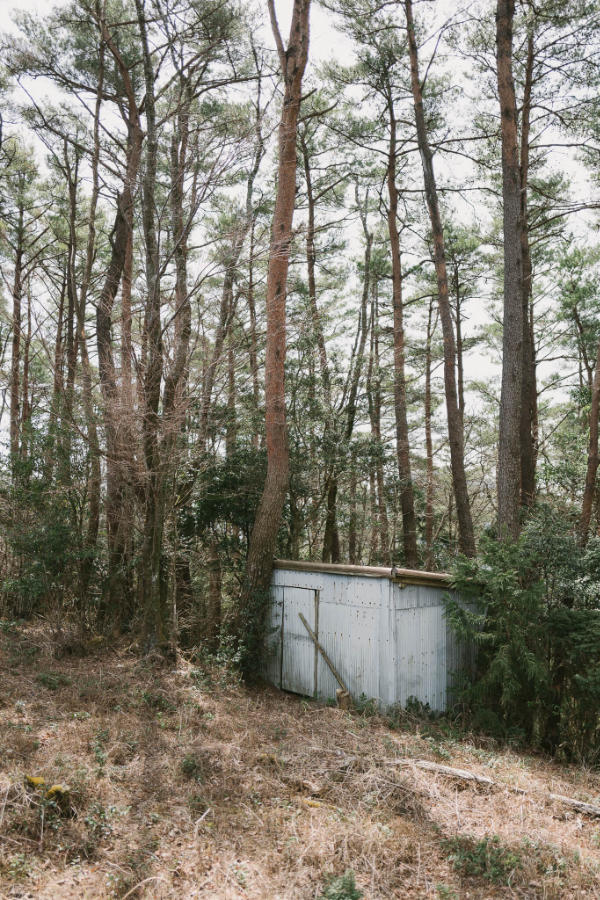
(407, 500)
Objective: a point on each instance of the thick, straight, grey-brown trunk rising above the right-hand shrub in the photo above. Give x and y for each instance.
(509, 448)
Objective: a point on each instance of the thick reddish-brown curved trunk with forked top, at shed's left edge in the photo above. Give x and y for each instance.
(268, 516)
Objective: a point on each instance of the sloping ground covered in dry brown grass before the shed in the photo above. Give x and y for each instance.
(183, 783)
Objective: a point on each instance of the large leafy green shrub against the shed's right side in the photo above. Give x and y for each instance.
(531, 615)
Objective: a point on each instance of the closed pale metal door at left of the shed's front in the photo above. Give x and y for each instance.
(298, 670)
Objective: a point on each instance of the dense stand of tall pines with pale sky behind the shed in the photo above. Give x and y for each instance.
(435, 299)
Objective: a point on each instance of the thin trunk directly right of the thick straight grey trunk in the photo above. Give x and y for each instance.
(528, 388)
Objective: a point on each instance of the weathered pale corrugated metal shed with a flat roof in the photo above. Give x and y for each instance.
(383, 629)
